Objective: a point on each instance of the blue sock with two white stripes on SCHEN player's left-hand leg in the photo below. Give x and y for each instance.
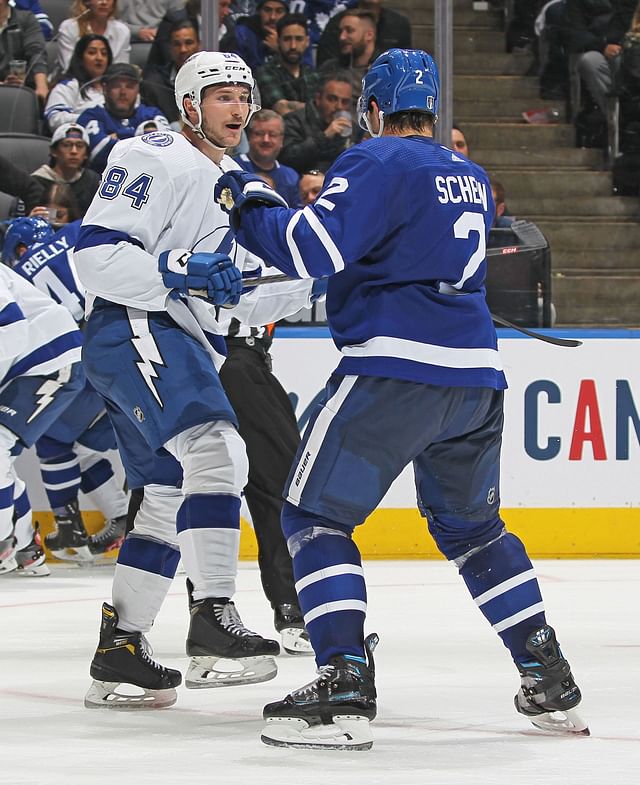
(330, 583)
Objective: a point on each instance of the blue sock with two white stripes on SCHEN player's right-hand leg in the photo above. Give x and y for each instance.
(503, 584)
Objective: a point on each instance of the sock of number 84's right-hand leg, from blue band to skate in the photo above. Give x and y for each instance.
(208, 526)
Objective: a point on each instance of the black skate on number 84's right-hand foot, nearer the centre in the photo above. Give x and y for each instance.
(223, 651)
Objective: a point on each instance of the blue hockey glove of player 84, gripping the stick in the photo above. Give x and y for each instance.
(212, 276)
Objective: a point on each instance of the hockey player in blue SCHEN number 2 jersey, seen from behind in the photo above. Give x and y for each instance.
(400, 227)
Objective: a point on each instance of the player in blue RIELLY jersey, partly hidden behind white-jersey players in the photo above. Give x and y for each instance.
(72, 453)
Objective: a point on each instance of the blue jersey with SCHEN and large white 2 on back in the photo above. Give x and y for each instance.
(401, 227)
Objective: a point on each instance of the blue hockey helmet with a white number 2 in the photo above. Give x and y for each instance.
(400, 80)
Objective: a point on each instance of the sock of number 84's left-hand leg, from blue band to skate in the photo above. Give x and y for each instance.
(143, 575)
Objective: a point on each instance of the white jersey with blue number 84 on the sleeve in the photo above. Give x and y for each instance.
(157, 195)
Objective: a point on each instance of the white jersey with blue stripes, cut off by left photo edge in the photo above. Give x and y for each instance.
(37, 336)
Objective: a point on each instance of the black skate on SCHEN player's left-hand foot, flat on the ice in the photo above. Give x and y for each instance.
(332, 712)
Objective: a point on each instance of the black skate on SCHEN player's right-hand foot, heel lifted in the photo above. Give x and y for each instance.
(548, 695)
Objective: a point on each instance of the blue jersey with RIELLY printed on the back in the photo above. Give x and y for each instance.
(50, 267)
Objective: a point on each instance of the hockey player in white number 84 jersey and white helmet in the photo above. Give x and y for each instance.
(154, 254)
